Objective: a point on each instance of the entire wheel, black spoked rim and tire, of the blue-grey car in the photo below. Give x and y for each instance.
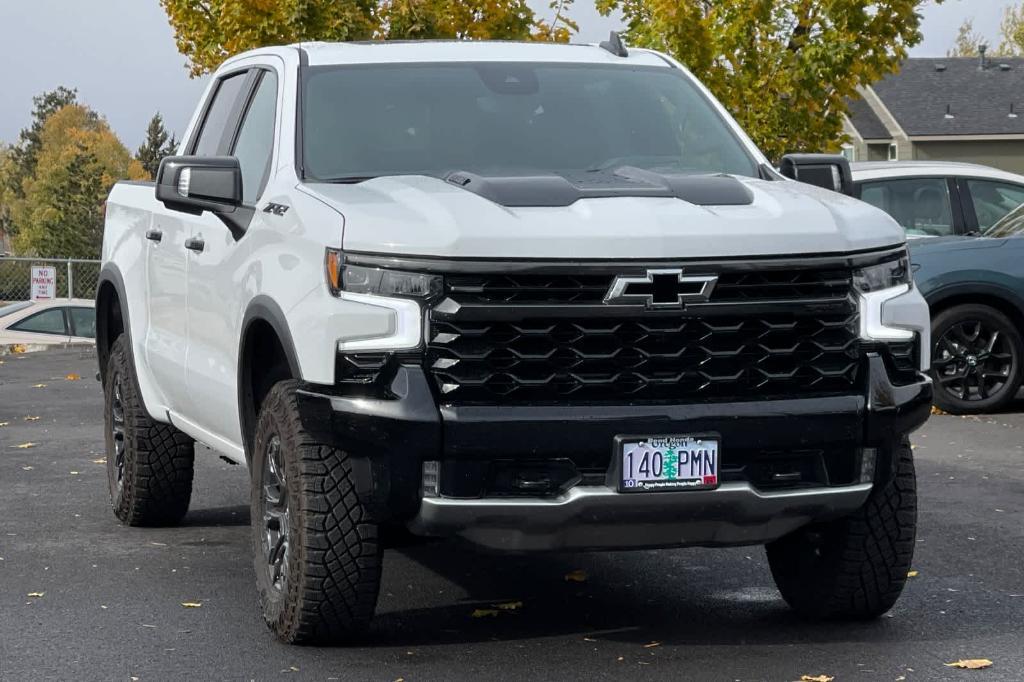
(976, 360)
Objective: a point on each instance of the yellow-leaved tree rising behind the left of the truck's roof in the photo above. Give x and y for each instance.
(208, 32)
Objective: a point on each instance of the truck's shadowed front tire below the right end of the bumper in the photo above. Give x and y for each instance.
(855, 568)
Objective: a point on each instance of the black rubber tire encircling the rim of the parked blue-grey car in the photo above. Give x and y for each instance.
(993, 320)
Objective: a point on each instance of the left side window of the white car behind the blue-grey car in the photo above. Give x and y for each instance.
(921, 205)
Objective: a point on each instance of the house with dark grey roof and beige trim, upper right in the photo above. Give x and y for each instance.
(954, 109)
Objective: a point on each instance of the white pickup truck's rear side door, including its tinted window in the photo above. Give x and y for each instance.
(168, 259)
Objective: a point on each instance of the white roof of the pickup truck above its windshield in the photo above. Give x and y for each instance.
(322, 54)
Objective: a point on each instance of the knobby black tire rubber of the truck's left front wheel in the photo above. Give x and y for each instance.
(334, 550)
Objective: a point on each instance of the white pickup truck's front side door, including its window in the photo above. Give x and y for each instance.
(218, 273)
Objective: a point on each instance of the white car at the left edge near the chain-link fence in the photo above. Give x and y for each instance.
(57, 322)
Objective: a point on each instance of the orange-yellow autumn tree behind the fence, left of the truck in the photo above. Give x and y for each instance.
(78, 160)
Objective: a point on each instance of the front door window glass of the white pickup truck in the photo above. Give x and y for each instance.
(255, 144)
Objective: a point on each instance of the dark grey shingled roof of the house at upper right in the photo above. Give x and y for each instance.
(979, 101)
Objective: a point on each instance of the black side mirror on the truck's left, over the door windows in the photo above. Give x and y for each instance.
(194, 185)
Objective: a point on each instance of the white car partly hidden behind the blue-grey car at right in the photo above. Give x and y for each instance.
(940, 198)
